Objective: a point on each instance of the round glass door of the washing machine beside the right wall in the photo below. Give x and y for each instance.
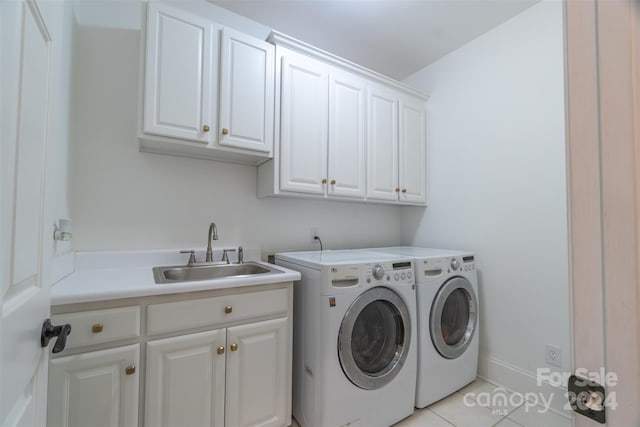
(454, 316)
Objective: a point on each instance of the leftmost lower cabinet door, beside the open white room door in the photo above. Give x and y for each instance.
(99, 388)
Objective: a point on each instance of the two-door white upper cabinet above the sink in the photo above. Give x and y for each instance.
(183, 89)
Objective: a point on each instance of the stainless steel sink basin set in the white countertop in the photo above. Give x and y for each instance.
(182, 273)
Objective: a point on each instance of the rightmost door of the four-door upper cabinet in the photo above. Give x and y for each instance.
(412, 152)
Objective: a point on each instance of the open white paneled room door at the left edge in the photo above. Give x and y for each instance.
(26, 242)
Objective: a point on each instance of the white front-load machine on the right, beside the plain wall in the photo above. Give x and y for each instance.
(448, 329)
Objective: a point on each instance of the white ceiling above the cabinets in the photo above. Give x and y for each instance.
(392, 37)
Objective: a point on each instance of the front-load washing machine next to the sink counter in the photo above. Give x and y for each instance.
(354, 342)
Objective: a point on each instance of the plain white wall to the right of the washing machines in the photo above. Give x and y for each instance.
(497, 185)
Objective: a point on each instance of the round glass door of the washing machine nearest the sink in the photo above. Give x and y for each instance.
(374, 338)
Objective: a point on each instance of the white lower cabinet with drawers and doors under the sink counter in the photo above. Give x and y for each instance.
(213, 358)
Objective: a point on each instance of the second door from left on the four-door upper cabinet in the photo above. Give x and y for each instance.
(347, 109)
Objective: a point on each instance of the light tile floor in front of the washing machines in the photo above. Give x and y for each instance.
(477, 411)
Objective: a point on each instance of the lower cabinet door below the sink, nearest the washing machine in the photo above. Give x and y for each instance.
(258, 374)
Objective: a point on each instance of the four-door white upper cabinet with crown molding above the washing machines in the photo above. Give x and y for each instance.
(343, 132)
